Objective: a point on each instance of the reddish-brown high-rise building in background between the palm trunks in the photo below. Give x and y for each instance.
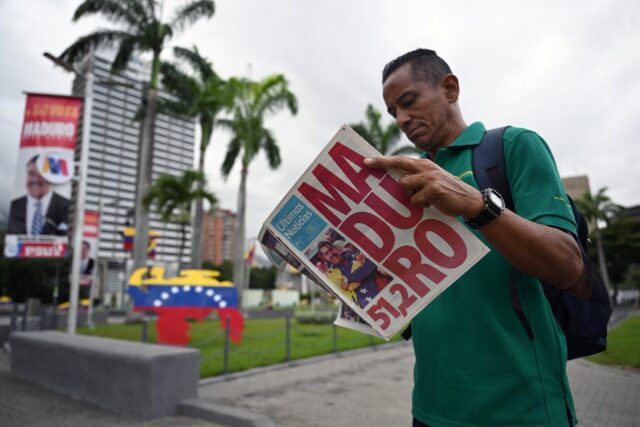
(218, 236)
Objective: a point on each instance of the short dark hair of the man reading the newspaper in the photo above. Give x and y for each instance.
(425, 64)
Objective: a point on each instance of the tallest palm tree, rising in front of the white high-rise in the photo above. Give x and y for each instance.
(142, 30)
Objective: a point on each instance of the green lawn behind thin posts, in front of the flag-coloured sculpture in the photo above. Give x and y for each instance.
(263, 342)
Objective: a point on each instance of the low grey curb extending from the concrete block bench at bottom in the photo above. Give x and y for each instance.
(226, 415)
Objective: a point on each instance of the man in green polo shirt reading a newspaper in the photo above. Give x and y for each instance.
(475, 363)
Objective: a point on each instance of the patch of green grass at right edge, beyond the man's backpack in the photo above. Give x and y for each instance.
(623, 345)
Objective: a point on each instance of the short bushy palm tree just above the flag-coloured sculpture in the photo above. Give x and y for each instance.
(172, 197)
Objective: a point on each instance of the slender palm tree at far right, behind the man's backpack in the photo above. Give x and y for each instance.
(595, 208)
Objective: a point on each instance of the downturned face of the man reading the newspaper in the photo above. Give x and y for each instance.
(422, 110)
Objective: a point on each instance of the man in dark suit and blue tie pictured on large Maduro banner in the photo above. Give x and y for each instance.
(41, 211)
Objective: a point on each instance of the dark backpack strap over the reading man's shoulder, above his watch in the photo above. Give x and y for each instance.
(489, 166)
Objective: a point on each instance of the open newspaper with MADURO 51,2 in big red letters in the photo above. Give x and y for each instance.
(353, 230)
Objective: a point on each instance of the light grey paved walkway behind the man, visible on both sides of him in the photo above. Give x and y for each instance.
(343, 392)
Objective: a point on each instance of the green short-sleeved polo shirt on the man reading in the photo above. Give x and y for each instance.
(475, 365)
